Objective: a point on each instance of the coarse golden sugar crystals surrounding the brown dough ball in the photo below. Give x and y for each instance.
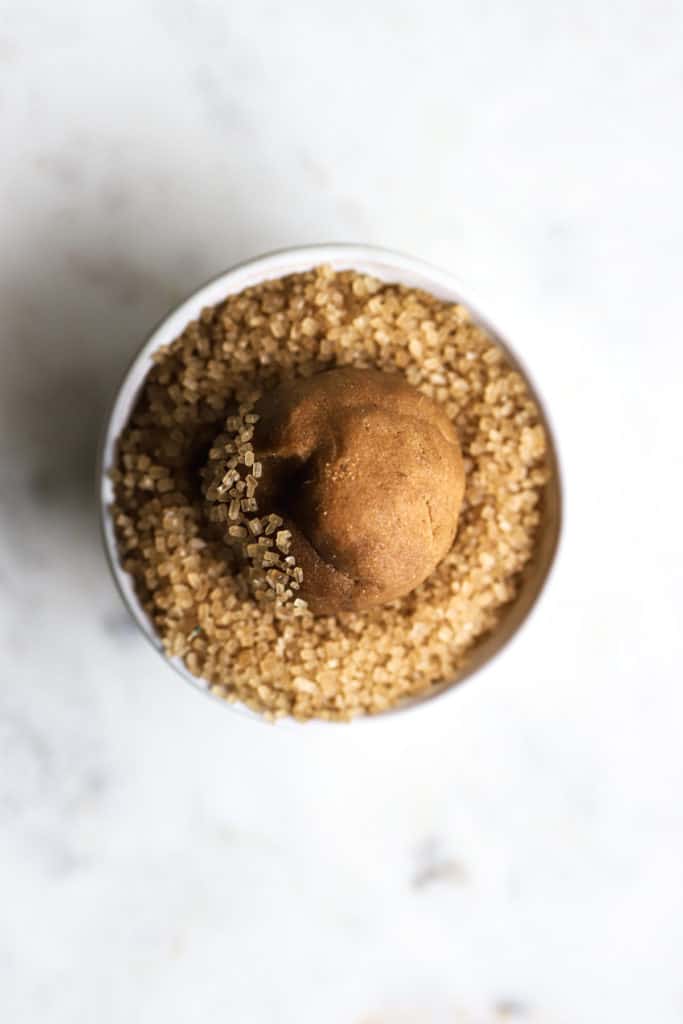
(276, 657)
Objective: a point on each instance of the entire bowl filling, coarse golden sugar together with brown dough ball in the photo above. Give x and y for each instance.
(290, 485)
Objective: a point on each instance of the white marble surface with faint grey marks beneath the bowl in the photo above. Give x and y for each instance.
(516, 854)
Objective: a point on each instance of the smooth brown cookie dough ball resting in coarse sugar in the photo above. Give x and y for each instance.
(369, 477)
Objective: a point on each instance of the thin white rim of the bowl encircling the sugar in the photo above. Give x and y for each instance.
(382, 264)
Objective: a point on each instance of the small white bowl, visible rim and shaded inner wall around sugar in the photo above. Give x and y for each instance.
(388, 267)
